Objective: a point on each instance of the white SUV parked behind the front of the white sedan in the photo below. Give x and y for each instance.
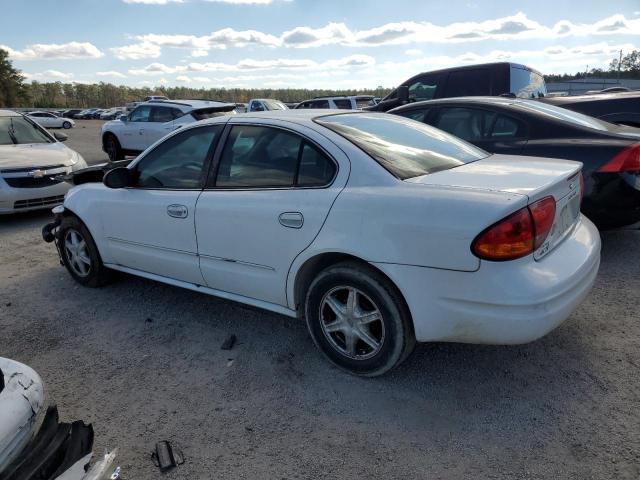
(150, 121)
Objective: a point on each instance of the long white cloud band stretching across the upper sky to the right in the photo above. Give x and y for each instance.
(514, 27)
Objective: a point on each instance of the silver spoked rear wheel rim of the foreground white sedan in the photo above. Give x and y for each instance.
(352, 322)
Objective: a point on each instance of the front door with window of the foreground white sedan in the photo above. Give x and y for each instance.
(150, 226)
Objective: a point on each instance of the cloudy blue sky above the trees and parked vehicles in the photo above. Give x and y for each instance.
(305, 43)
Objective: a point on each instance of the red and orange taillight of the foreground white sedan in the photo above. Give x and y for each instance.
(517, 235)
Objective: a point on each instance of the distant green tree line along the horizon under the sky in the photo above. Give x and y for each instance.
(15, 92)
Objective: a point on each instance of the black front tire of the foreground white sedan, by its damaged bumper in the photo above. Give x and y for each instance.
(97, 274)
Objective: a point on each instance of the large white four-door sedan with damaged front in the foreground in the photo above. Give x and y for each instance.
(378, 230)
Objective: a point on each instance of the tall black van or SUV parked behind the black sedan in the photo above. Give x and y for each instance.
(473, 80)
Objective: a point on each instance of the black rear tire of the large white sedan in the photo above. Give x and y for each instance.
(392, 333)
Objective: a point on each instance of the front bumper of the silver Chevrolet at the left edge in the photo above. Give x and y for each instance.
(14, 200)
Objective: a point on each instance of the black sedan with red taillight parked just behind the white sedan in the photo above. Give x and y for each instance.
(610, 153)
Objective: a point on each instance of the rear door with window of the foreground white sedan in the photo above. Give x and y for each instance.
(267, 200)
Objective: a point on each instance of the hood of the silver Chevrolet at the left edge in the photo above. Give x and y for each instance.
(35, 155)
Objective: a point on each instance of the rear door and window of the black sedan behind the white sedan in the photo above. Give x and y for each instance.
(490, 130)
